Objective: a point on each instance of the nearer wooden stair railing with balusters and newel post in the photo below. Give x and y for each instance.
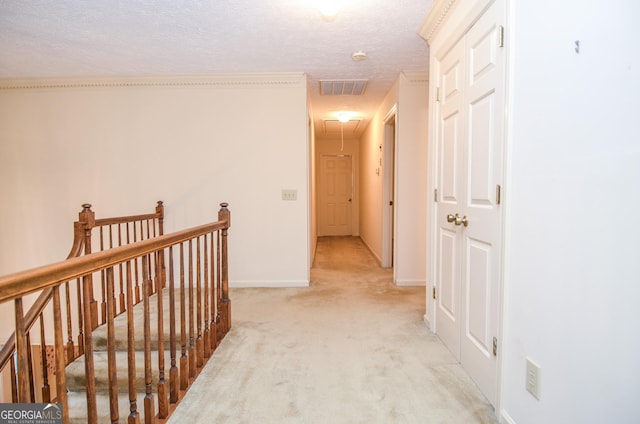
(203, 317)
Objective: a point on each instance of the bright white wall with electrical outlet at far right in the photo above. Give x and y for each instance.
(573, 266)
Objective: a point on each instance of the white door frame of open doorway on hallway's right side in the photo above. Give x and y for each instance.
(388, 165)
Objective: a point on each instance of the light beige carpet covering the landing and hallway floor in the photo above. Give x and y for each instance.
(352, 348)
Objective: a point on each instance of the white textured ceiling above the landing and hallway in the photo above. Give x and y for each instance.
(67, 38)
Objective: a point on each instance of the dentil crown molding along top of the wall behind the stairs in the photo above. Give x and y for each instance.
(213, 80)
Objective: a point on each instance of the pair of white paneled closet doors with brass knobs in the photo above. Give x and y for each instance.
(470, 177)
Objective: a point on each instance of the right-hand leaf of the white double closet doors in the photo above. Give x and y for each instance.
(481, 247)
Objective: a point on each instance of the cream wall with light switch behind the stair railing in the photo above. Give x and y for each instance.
(191, 142)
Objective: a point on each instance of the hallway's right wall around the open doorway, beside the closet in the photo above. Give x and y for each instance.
(409, 95)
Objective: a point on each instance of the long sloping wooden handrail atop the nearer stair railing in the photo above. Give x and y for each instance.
(22, 283)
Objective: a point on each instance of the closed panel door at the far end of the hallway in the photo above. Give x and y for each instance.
(336, 191)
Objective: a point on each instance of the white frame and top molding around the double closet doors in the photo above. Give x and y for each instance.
(447, 22)
